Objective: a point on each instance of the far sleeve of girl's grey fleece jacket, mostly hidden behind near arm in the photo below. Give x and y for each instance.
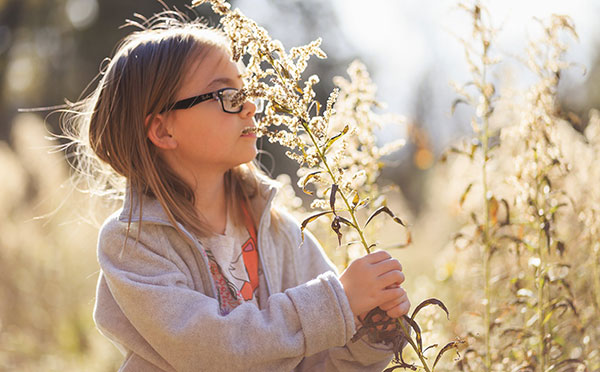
(361, 355)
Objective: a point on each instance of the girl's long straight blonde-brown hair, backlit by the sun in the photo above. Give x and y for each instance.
(109, 129)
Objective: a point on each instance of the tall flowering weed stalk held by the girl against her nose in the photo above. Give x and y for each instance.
(296, 120)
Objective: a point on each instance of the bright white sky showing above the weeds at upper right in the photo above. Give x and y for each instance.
(408, 43)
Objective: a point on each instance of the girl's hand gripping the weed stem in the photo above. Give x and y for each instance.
(374, 280)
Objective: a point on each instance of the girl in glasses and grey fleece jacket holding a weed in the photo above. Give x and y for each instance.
(199, 271)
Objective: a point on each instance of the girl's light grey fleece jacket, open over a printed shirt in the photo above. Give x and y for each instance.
(157, 303)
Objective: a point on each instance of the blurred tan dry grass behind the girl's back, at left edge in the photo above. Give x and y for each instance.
(48, 266)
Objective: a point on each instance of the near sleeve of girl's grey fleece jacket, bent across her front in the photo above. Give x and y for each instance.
(184, 327)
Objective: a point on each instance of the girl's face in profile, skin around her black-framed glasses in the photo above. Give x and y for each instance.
(207, 137)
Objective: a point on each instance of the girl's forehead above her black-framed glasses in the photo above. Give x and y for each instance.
(209, 68)
